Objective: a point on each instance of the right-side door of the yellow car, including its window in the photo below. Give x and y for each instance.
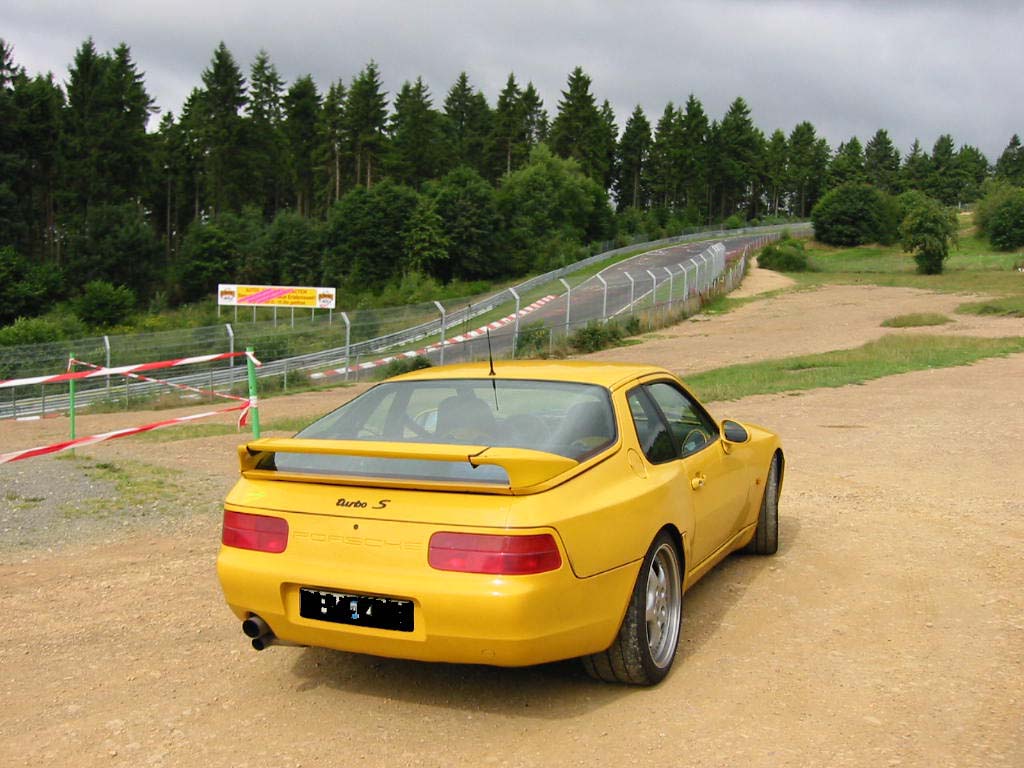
(714, 478)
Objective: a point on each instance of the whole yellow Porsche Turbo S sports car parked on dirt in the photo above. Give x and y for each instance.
(540, 513)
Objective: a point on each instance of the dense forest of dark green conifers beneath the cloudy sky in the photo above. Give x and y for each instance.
(105, 212)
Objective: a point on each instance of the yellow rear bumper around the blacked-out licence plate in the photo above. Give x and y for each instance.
(458, 618)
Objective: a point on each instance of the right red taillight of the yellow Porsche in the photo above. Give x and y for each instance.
(484, 553)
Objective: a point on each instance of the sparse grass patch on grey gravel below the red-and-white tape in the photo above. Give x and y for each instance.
(139, 489)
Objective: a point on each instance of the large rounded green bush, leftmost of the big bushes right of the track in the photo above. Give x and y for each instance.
(855, 215)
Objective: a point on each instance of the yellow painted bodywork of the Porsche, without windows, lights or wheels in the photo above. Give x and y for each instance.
(370, 535)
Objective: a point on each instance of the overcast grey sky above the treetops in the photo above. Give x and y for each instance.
(917, 68)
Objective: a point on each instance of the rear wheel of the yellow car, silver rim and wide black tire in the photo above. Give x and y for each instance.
(646, 648)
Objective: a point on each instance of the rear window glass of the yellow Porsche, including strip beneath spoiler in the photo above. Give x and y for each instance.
(569, 419)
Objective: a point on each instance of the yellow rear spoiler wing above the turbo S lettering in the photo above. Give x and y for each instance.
(526, 468)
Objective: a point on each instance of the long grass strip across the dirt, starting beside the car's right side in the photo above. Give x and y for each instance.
(886, 357)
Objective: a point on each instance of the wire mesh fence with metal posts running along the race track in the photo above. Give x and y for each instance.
(351, 344)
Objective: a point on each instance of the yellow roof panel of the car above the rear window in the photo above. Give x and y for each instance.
(606, 374)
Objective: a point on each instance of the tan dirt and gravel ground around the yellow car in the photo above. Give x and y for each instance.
(888, 631)
